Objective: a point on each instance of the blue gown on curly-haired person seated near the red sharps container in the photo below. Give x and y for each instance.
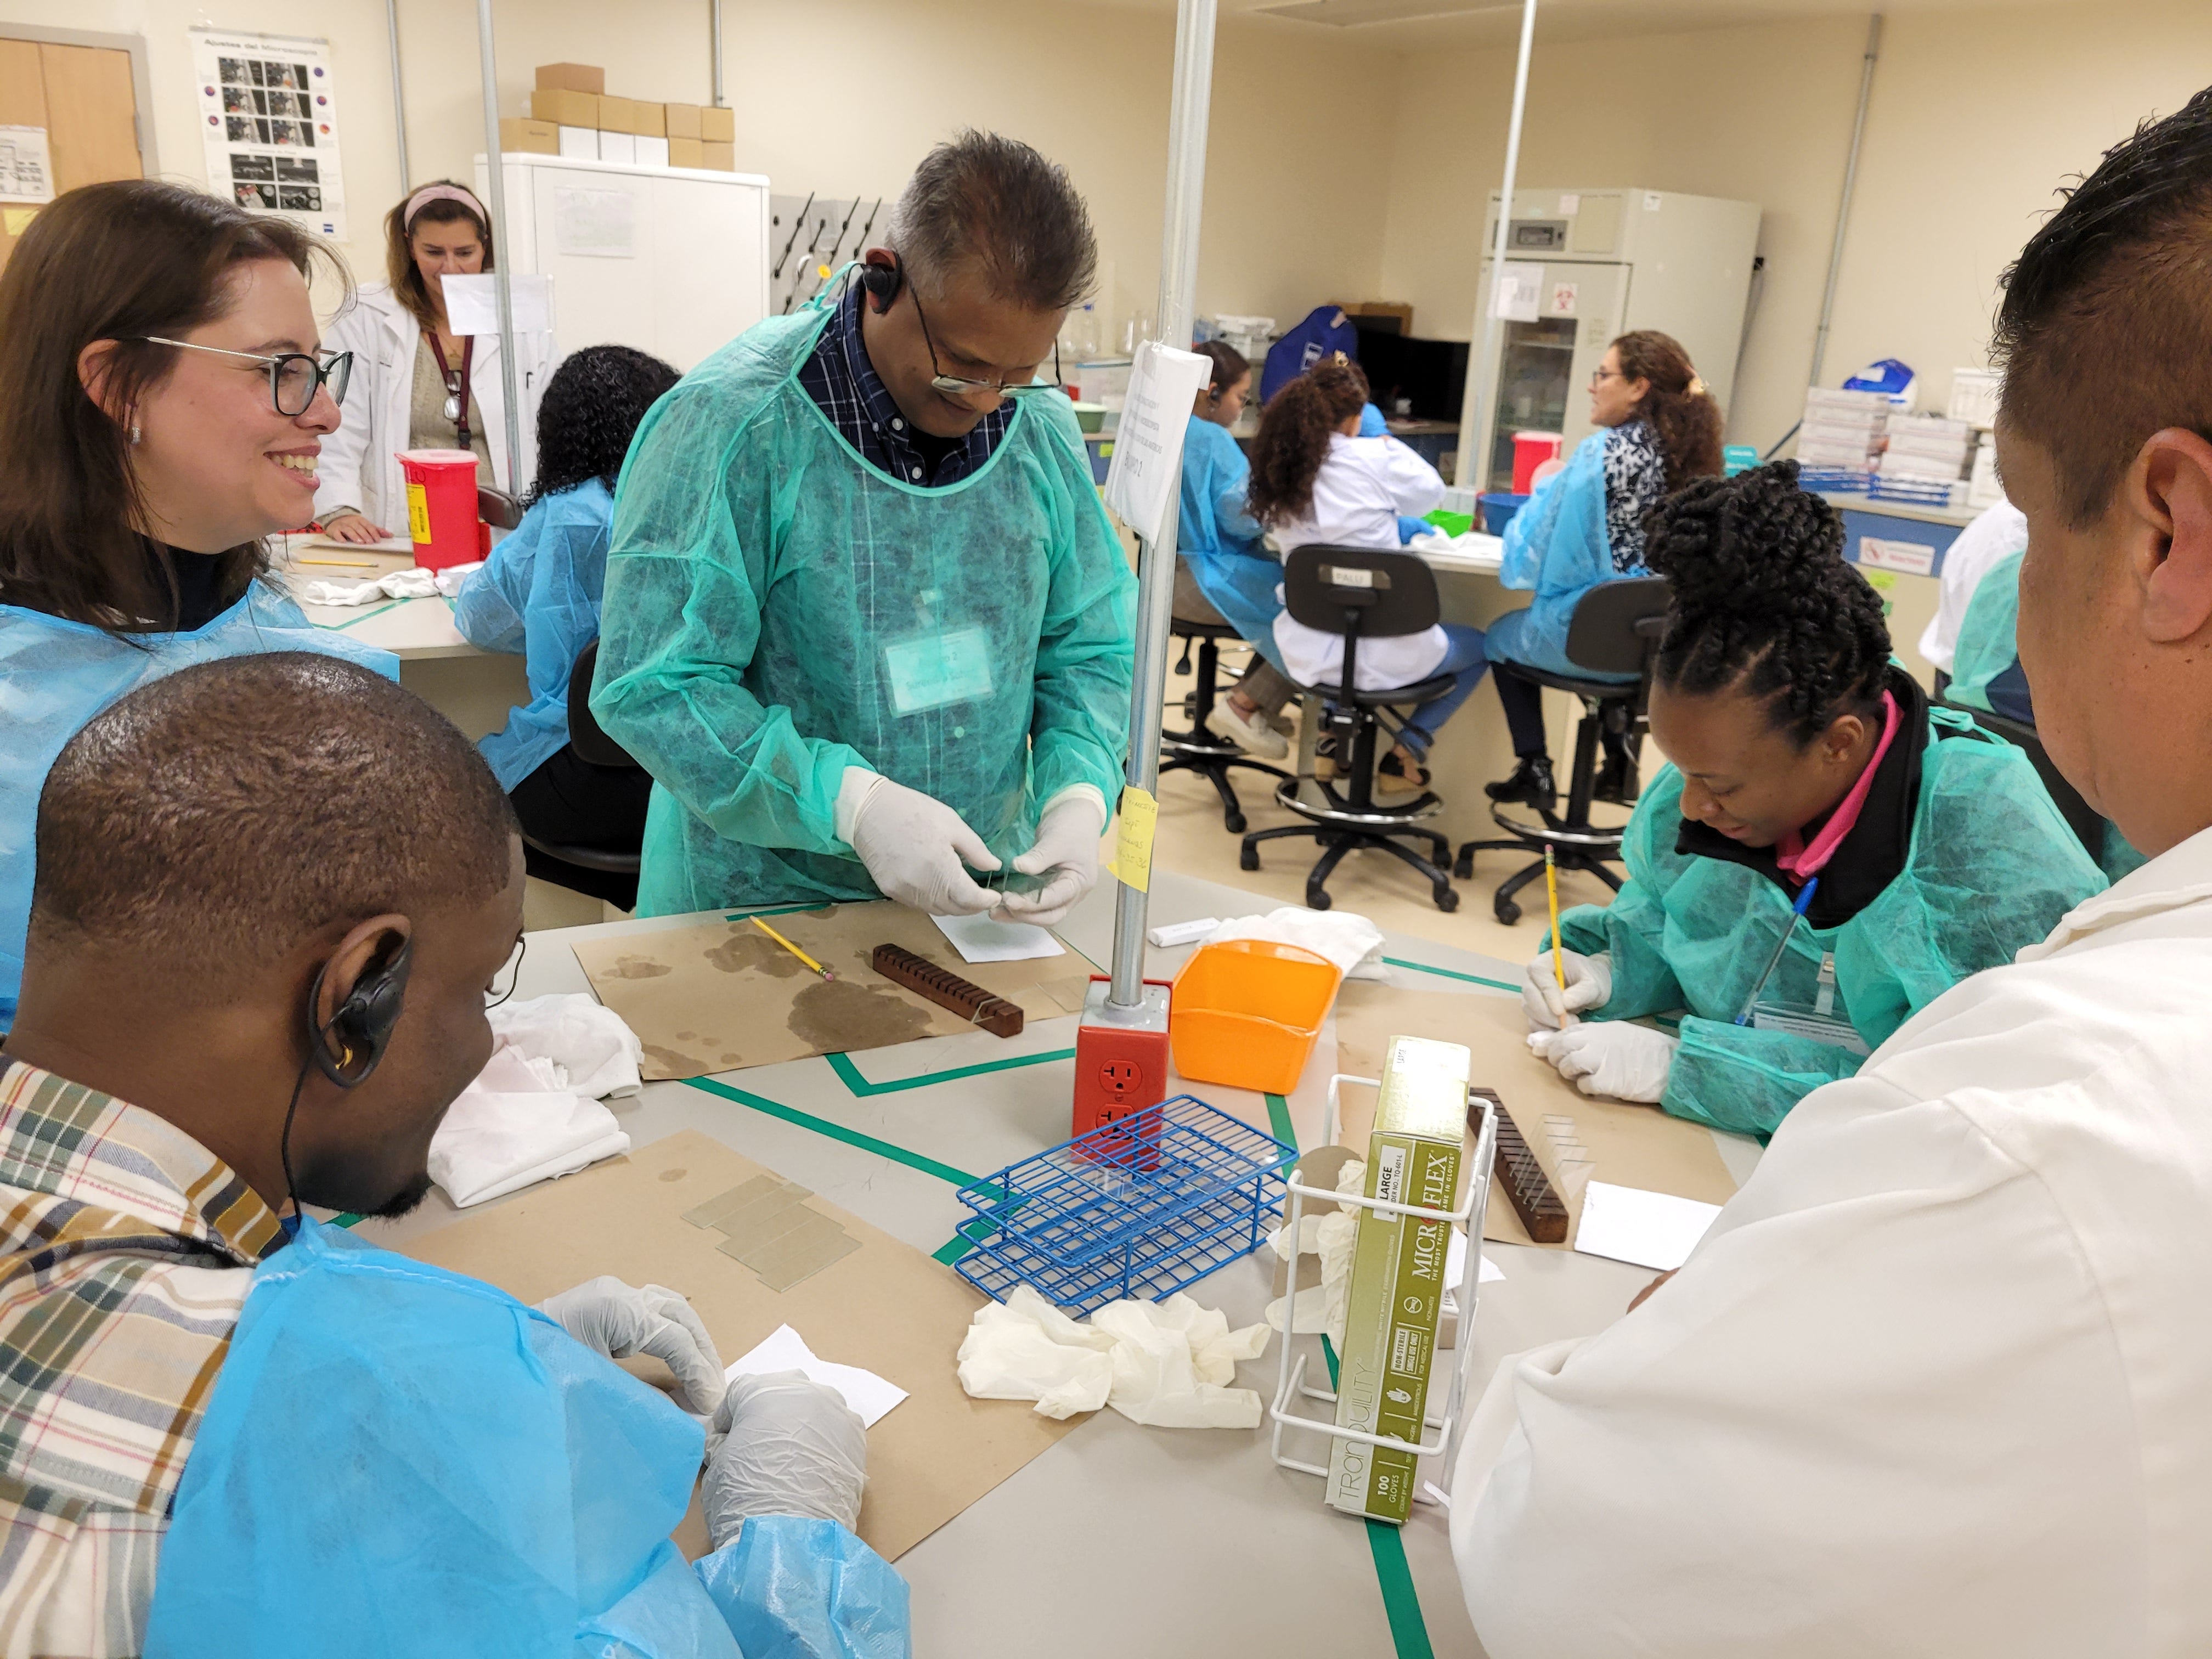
(539, 596)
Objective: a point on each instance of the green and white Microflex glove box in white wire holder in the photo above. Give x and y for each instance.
(1399, 1273)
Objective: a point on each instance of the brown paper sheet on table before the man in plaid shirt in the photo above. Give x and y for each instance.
(881, 1306)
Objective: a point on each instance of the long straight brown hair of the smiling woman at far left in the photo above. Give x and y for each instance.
(109, 262)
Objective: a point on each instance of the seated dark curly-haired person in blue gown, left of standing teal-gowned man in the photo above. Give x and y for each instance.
(539, 596)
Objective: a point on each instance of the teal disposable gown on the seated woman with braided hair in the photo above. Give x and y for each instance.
(1992, 868)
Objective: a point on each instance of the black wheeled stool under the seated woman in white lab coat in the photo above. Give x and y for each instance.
(1361, 594)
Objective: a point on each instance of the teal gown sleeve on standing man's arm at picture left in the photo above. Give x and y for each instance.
(682, 616)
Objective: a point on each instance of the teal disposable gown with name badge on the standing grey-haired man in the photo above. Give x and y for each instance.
(780, 612)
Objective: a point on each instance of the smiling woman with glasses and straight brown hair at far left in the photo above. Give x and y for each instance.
(163, 410)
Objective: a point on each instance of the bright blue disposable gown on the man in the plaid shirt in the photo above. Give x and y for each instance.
(401, 1461)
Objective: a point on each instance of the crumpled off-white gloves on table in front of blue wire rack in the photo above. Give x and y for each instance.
(1158, 1364)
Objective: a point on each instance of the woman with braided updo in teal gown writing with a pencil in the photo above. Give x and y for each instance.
(1813, 795)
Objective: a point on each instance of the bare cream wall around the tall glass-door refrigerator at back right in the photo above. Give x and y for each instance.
(1976, 118)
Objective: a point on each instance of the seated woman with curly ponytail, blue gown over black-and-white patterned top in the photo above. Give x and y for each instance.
(1658, 428)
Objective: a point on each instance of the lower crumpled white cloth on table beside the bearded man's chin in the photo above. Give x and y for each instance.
(514, 1127)
